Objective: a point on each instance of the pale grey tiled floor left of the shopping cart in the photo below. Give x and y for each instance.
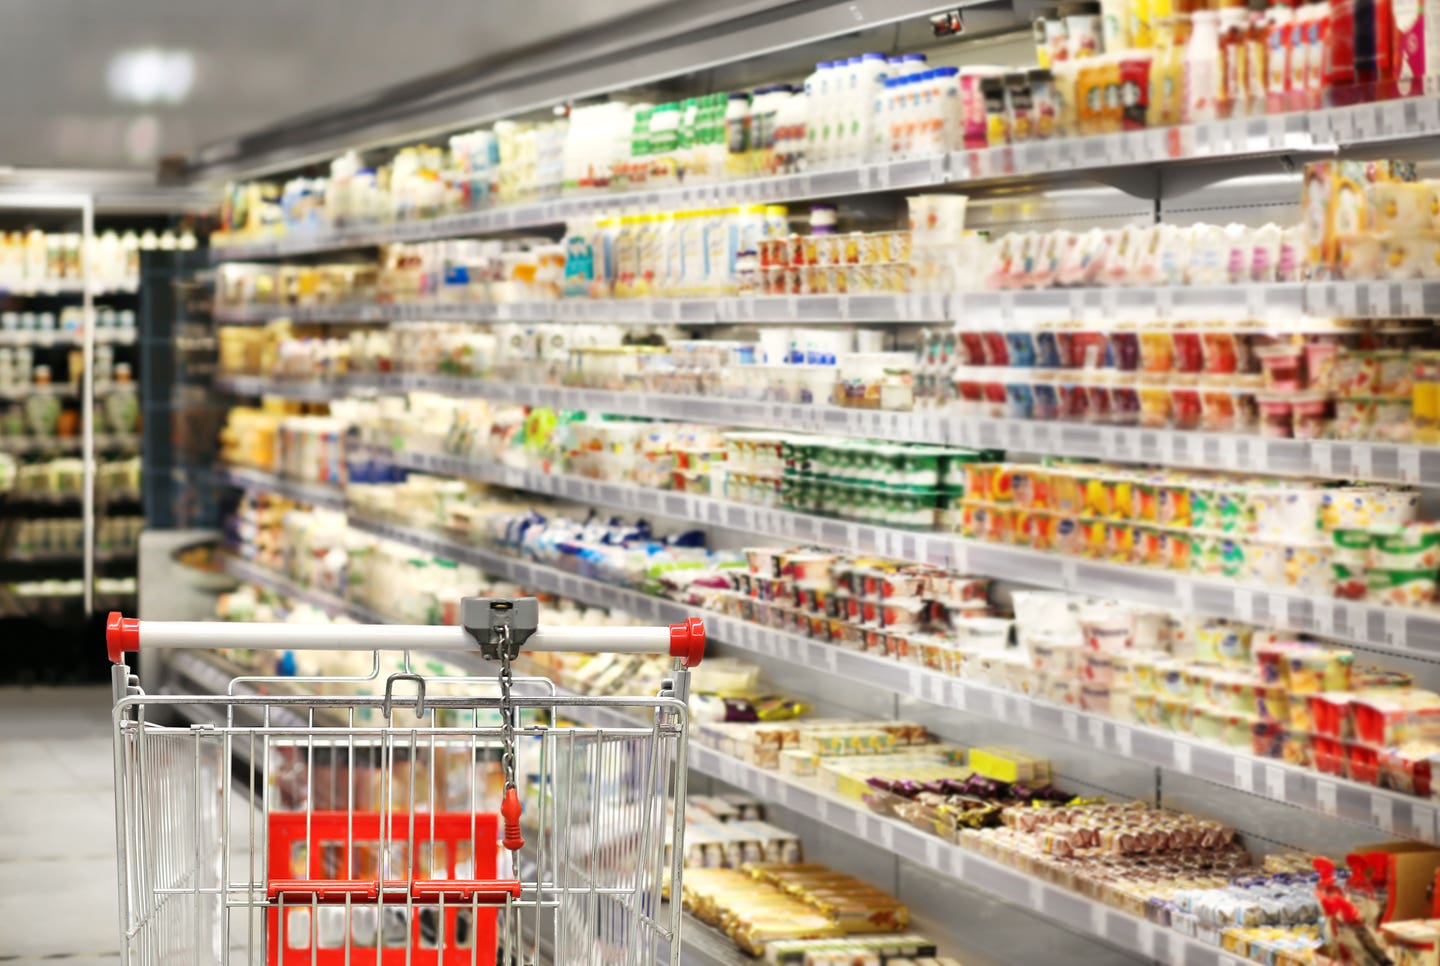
(58, 898)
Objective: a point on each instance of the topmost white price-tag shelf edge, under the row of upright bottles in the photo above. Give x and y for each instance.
(1323, 130)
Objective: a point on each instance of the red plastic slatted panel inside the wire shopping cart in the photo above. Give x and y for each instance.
(333, 854)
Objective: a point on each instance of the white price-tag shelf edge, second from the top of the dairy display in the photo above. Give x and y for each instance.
(1287, 302)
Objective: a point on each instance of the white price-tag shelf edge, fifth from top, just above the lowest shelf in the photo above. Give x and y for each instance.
(1266, 778)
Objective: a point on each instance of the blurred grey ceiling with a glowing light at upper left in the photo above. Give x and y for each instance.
(68, 67)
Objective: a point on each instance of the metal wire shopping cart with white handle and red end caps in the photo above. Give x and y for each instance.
(421, 829)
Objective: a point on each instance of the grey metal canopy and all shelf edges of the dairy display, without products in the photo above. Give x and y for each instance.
(1241, 169)
